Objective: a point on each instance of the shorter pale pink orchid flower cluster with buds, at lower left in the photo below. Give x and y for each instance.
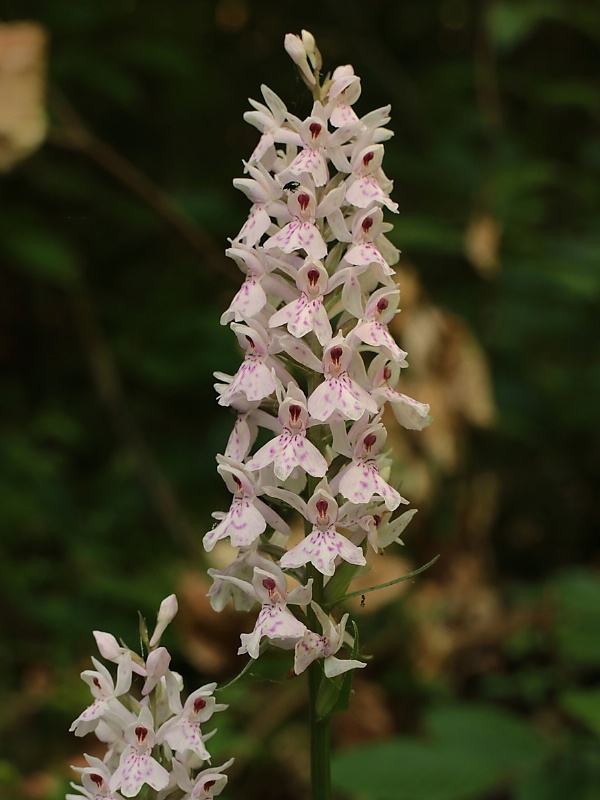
(152, 738)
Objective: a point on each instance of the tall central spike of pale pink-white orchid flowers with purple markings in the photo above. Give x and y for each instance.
(320, 364)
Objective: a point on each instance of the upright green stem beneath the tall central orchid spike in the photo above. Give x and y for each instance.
(320, 749)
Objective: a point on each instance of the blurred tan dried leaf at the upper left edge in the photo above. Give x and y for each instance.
(22, 89)
